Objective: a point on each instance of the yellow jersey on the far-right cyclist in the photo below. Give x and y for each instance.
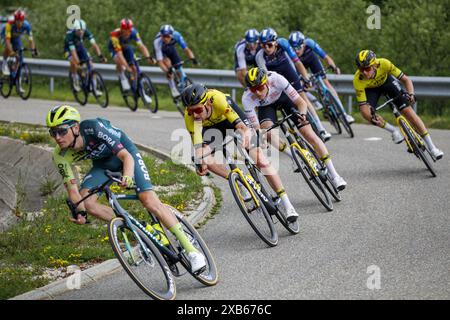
(384, 69)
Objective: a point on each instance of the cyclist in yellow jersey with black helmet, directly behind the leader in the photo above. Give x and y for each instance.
(213, 111)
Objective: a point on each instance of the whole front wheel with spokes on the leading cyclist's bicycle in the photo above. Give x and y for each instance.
(150, 272)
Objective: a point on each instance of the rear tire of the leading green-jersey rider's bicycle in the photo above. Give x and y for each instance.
(209, 276)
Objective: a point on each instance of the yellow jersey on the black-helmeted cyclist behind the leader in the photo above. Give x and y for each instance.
(222, 110)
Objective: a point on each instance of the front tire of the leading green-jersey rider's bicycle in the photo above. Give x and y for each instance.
(169, 289)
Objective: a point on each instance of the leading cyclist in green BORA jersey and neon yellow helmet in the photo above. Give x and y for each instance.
(109, 148)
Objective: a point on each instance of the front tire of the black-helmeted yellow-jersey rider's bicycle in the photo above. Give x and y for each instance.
(272, 239)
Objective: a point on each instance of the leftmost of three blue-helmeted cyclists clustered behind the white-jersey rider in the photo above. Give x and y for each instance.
(245, 52)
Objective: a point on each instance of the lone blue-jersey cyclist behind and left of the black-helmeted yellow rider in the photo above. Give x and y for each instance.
(167, 56)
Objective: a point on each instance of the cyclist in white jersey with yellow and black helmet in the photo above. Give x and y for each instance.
(268, 91)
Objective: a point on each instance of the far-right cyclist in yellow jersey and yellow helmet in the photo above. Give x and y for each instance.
(378, 76)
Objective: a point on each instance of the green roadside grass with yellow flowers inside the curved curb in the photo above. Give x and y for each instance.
(37, 251)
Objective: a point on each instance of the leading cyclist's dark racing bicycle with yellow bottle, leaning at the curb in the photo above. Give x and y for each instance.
(150, 256)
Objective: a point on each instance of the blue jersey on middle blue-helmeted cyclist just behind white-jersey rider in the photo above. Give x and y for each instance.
(281, 61)
